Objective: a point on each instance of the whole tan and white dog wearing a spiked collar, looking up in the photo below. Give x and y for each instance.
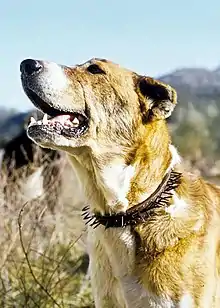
(153, 228)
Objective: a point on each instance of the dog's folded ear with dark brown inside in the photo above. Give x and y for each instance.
(160, 99)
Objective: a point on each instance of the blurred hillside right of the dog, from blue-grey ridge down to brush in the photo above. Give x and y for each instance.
(195, 121)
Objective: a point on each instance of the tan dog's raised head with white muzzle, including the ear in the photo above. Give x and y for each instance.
(97, 104)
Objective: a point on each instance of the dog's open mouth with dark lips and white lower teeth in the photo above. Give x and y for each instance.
(65, 123)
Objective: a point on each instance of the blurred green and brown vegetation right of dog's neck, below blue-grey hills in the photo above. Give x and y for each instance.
(195, 133)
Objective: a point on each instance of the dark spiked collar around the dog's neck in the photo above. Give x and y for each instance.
(140, 212)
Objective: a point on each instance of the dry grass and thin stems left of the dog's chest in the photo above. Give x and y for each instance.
(42, 257)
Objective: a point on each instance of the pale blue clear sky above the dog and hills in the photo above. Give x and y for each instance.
(150, 37)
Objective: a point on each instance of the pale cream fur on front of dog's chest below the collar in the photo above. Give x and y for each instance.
(113, 264)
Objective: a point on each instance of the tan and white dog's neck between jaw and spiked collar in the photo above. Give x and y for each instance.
(116, 184)
